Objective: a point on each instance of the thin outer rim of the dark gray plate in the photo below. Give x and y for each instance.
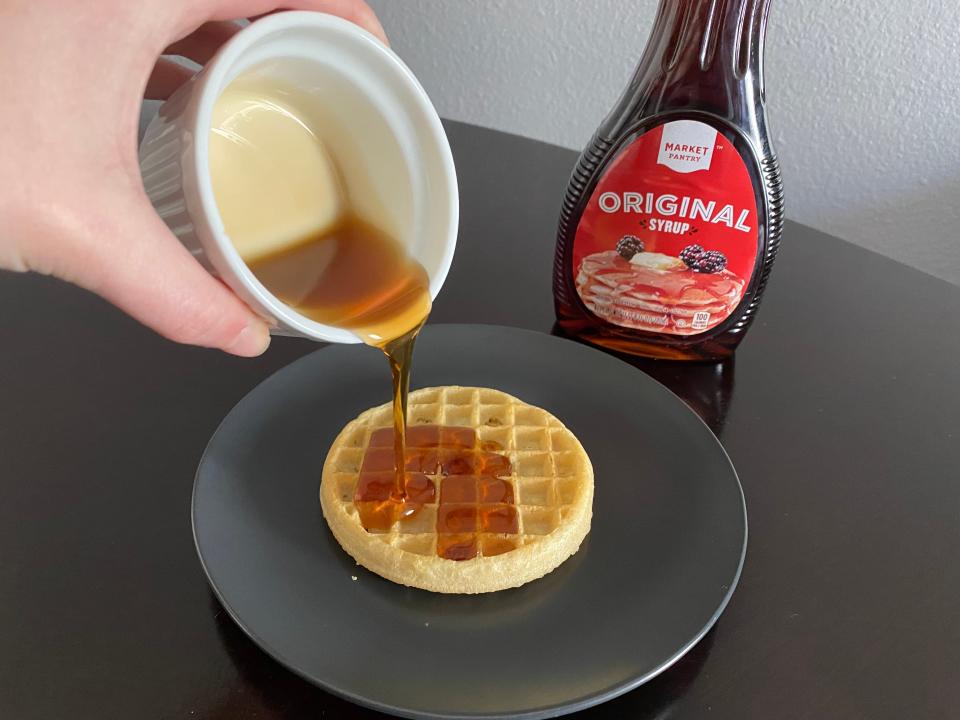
(539, 713)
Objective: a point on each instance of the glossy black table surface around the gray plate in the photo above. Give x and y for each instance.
(841, 413)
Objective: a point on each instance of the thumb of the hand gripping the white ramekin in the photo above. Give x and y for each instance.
(136, 263)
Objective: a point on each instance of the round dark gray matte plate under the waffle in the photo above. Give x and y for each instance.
(659, 565)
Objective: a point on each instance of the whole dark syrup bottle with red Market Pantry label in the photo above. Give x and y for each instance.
(672, 218)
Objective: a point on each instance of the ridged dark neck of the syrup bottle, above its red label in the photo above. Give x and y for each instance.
(701, 54)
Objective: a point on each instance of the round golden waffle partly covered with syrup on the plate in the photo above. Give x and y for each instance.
(498, 492)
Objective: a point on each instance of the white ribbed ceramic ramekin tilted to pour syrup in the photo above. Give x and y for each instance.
(380, 128)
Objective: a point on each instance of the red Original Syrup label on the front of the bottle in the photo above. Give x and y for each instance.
(669, 239)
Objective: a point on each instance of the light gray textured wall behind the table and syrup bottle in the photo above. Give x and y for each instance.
(862, 96)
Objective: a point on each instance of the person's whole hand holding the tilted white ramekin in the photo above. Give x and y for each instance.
(72, 203)
